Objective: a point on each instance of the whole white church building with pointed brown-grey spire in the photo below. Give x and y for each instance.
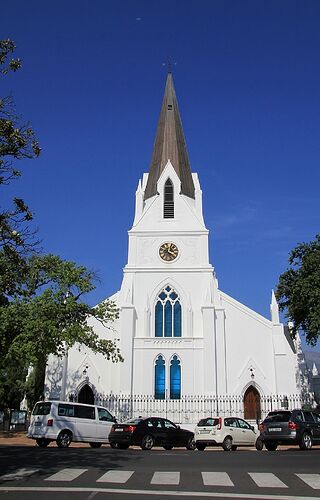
(187, 346)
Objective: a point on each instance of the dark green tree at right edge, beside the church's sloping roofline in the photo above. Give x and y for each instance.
(298, 290)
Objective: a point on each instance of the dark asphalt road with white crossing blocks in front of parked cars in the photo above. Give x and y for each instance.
(84, 473)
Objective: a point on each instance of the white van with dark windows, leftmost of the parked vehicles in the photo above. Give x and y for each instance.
(64, 422)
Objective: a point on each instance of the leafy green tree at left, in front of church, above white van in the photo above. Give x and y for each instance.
(47, 314)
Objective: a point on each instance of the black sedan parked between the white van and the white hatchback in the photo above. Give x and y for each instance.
(149, 432)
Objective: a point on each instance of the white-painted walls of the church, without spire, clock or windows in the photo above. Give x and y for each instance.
(225, 348)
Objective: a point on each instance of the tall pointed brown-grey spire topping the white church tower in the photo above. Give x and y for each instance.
(170, 145)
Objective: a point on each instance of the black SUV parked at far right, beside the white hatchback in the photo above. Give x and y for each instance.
(290, 427)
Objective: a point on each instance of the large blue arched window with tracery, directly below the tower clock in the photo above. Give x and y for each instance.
(168, 314)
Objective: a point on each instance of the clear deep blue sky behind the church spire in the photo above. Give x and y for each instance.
(247, 79)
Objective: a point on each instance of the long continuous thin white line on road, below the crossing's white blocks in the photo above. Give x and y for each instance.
(124, 491)
